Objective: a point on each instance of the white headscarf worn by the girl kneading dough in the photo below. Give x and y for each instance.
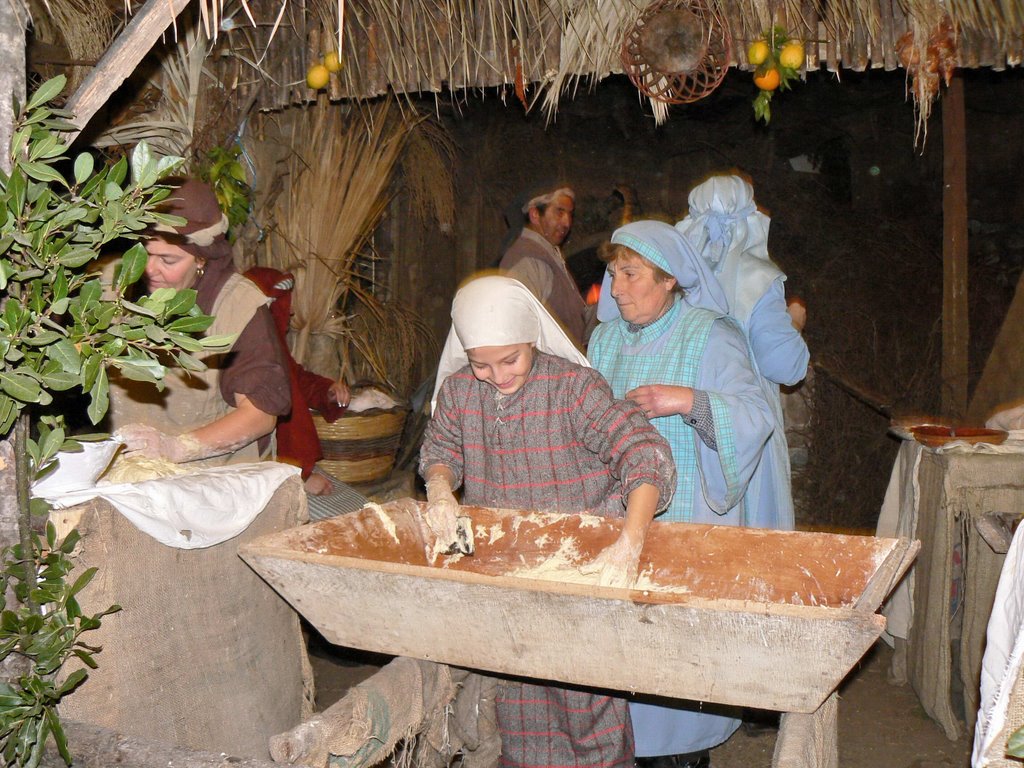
(494, 312)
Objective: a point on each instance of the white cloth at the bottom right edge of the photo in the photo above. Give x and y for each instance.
(1004, 653)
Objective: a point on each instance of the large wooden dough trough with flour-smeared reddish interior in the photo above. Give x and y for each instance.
(764, 619)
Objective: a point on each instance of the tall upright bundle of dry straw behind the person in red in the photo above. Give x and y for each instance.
(340, 172)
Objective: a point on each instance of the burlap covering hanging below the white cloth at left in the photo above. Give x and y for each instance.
(204, 654)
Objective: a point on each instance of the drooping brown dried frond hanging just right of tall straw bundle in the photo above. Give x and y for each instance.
(428, 164)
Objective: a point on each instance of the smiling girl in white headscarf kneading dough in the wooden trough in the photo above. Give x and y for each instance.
(522, 421)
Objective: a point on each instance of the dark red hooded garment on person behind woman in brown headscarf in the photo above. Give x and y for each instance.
(297, 440)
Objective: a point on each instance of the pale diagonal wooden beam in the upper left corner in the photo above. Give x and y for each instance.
(121, 60)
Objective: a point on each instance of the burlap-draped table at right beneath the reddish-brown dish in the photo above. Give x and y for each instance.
(941, 612)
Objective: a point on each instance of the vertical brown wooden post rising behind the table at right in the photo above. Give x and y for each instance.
(955, 306)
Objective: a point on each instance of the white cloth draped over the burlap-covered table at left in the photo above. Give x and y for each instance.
(192, 511)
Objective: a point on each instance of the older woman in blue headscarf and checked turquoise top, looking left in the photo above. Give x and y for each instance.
(666, 343)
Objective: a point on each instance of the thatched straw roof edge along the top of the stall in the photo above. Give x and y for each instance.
(547, 47)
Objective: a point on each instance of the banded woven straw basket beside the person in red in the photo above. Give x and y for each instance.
(362, 447)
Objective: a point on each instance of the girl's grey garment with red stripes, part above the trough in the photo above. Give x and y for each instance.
(561, 444)
